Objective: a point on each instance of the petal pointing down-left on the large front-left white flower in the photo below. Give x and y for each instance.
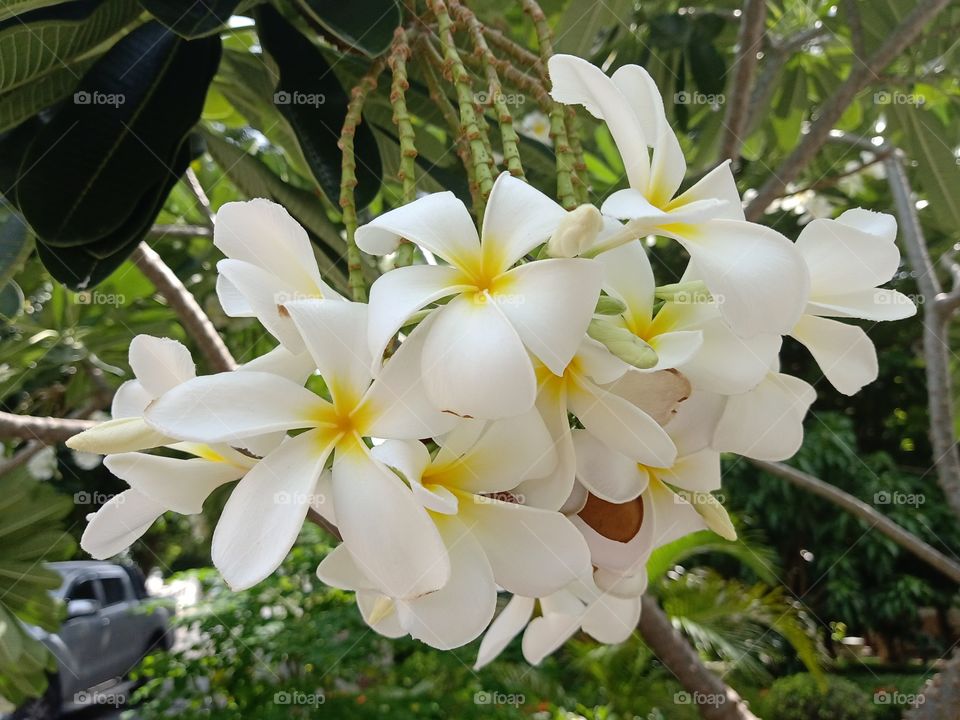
(266, 510)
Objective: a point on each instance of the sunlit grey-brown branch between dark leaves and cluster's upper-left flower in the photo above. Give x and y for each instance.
(195, 321)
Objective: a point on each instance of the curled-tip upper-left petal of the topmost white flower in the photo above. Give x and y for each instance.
(576, 82)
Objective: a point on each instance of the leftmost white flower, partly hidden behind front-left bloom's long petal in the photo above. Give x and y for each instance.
(159, 484)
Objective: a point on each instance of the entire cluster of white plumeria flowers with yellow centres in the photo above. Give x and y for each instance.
(527, 412)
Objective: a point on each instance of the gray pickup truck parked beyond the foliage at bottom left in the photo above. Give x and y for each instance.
(111, 624)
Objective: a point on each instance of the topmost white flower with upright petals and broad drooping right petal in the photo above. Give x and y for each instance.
(754, 272)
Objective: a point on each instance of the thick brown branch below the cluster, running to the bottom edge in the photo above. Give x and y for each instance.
(714, 698)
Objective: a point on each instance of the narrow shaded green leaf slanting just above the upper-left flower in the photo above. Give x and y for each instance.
(255, 179)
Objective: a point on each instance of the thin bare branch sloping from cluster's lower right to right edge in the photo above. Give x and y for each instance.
(876, 520)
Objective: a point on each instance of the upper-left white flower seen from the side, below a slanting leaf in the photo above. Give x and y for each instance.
(270, 262)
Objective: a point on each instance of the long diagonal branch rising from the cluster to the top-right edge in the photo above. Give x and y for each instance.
(861, 75)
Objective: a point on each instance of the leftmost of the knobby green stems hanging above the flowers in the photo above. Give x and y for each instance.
(348, 180)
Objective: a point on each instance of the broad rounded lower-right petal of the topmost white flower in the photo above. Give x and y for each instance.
(754, 273)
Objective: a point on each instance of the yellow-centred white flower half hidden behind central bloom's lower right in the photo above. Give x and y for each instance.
(593, 388)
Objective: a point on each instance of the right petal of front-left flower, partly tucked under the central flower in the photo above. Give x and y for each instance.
(397, 402)
